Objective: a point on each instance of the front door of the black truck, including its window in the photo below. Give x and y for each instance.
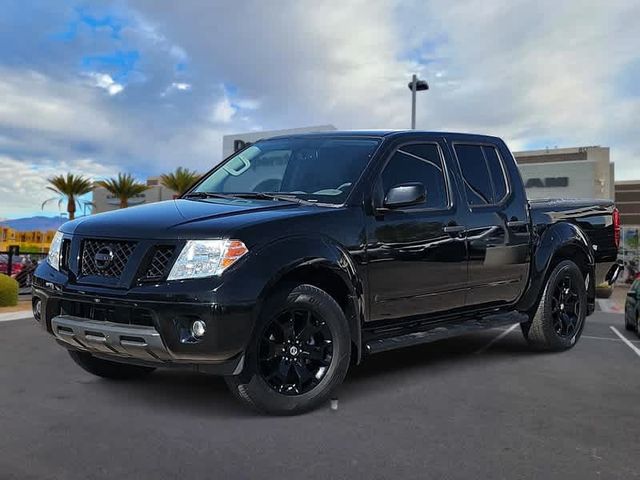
(417, 259)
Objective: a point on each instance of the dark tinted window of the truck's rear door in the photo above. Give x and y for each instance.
(483, 174)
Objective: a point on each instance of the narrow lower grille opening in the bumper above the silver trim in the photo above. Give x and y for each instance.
(107, 313)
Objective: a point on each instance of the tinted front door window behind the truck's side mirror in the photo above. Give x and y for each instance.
(418, 163)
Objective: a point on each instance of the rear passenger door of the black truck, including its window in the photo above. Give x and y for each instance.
(497, 223)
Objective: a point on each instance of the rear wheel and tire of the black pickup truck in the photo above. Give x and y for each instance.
(560, 317)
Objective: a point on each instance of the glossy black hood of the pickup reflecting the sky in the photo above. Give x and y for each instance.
(169, 219)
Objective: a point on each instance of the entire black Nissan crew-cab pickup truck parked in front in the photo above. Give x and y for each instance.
(301, 255)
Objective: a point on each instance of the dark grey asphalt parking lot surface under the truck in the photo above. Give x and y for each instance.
(479, 406)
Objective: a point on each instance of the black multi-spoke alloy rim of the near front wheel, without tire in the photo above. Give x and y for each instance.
(295, 352)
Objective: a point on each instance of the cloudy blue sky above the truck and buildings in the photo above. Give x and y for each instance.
(144, 86)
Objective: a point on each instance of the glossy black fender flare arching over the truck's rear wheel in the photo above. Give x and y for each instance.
(547, 245)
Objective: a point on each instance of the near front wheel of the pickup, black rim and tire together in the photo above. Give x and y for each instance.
(277, 380)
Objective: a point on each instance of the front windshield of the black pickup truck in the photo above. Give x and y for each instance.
(321, 169)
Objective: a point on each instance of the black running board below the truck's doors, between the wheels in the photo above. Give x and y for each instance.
(441, 331)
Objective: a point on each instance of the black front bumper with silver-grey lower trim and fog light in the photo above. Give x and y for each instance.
(149, 332)
